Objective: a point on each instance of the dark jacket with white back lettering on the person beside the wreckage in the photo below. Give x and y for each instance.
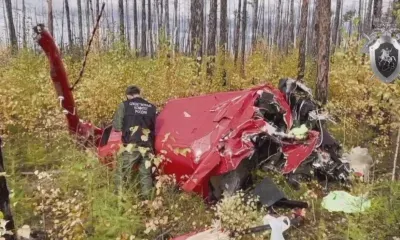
(136, 119)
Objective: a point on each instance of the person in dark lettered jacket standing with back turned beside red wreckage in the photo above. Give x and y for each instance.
(135, 118)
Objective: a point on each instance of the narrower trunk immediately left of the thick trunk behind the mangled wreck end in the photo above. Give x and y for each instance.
(303, 36)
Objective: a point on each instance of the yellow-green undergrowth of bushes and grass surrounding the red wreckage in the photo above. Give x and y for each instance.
(59, 187)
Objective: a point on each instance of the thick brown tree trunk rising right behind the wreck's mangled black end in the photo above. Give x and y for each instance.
(324, 18)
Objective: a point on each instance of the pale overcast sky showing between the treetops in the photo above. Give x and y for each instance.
(40, 8)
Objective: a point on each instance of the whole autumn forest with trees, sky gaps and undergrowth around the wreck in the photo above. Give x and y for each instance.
(173, 49)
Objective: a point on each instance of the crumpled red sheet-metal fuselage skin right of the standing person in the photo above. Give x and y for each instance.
(217, 136)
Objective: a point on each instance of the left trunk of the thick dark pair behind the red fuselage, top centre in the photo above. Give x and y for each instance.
(196, 26)
